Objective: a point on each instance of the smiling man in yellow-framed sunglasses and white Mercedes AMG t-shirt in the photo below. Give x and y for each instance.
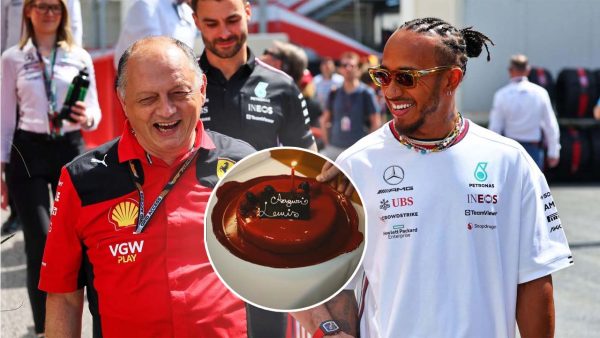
(463, 233)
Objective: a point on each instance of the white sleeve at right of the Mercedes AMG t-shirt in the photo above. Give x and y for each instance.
(543, 247)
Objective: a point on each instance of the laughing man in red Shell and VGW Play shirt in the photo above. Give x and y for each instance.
(128, 216)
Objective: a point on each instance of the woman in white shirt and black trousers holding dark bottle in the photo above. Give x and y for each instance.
(36, 142)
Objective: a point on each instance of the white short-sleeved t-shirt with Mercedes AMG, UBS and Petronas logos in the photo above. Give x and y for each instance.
(451, 234)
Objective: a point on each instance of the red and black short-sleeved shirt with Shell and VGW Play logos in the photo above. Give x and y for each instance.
(159, 282)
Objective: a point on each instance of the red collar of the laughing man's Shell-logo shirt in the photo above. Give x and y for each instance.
(130, 149)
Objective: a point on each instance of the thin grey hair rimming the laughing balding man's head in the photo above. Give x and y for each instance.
(121, 81)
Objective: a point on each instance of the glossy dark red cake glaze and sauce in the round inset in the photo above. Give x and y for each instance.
(280, 222)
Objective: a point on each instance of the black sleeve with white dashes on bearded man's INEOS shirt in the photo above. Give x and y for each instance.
(295, 130)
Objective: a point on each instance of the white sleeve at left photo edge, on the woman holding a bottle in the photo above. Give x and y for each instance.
(8, 105)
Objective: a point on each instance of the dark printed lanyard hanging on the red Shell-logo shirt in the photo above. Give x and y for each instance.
(144, 219)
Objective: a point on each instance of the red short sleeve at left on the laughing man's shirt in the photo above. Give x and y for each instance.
(63, 252)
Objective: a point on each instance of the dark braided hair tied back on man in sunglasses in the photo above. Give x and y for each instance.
(457, 45)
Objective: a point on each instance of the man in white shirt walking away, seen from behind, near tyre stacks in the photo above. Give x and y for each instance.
(522, 111)
